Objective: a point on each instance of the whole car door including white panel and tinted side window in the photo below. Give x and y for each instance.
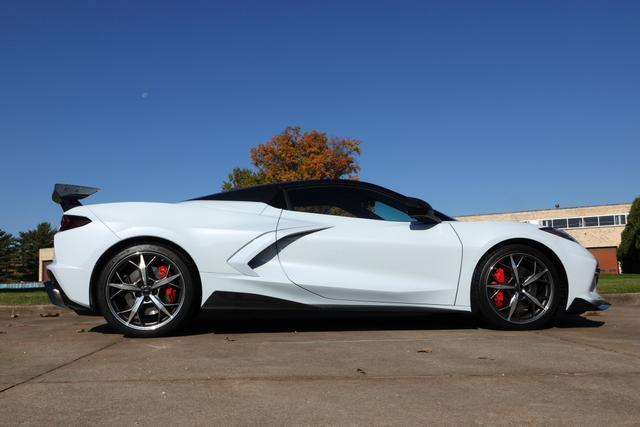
(360, 245)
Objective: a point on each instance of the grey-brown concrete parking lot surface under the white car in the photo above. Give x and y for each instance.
(320, 368)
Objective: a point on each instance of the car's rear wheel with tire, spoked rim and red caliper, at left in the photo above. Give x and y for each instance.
(147, 290)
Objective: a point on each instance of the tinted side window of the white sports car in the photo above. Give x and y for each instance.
(349, 202)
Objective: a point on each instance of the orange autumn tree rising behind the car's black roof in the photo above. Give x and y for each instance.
(293, 155)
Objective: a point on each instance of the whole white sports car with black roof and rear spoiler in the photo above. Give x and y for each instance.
(149, 267)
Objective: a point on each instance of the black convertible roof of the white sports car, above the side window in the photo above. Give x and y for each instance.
(272, 194)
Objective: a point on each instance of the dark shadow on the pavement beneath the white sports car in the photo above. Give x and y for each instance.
(251, 321)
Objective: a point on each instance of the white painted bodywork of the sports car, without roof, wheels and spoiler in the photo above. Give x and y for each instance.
(319, 260)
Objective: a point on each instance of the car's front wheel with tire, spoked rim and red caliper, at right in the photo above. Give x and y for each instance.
(516, 287)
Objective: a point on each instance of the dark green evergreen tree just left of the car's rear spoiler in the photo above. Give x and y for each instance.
(29, 243)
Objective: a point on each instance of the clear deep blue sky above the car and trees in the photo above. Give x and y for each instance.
(473, 106)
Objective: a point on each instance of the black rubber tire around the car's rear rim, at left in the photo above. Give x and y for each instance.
(184, 312)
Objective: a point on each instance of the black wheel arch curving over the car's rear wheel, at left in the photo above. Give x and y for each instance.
(97, 268)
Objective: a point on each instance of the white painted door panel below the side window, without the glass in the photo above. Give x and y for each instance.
(359, 259)
